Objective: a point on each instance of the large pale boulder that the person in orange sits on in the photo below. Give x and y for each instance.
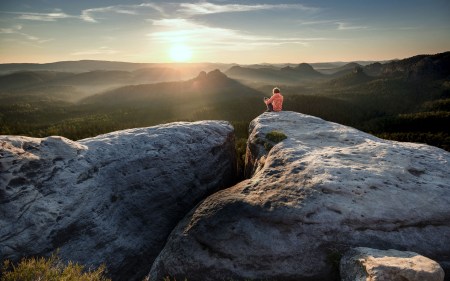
(325, 189)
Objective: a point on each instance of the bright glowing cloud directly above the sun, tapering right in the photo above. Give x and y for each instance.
(195, 34)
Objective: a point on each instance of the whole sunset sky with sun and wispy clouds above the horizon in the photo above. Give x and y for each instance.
(244, 32)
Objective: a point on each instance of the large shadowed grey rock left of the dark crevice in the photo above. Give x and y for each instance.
(111, 199)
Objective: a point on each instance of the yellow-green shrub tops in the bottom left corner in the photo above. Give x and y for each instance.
(51, 269)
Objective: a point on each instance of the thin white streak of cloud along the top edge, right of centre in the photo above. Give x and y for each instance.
(205, 8)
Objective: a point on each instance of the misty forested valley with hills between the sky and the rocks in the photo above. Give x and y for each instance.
(405, 100)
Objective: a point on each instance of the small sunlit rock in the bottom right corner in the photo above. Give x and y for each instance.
(361, 264)
